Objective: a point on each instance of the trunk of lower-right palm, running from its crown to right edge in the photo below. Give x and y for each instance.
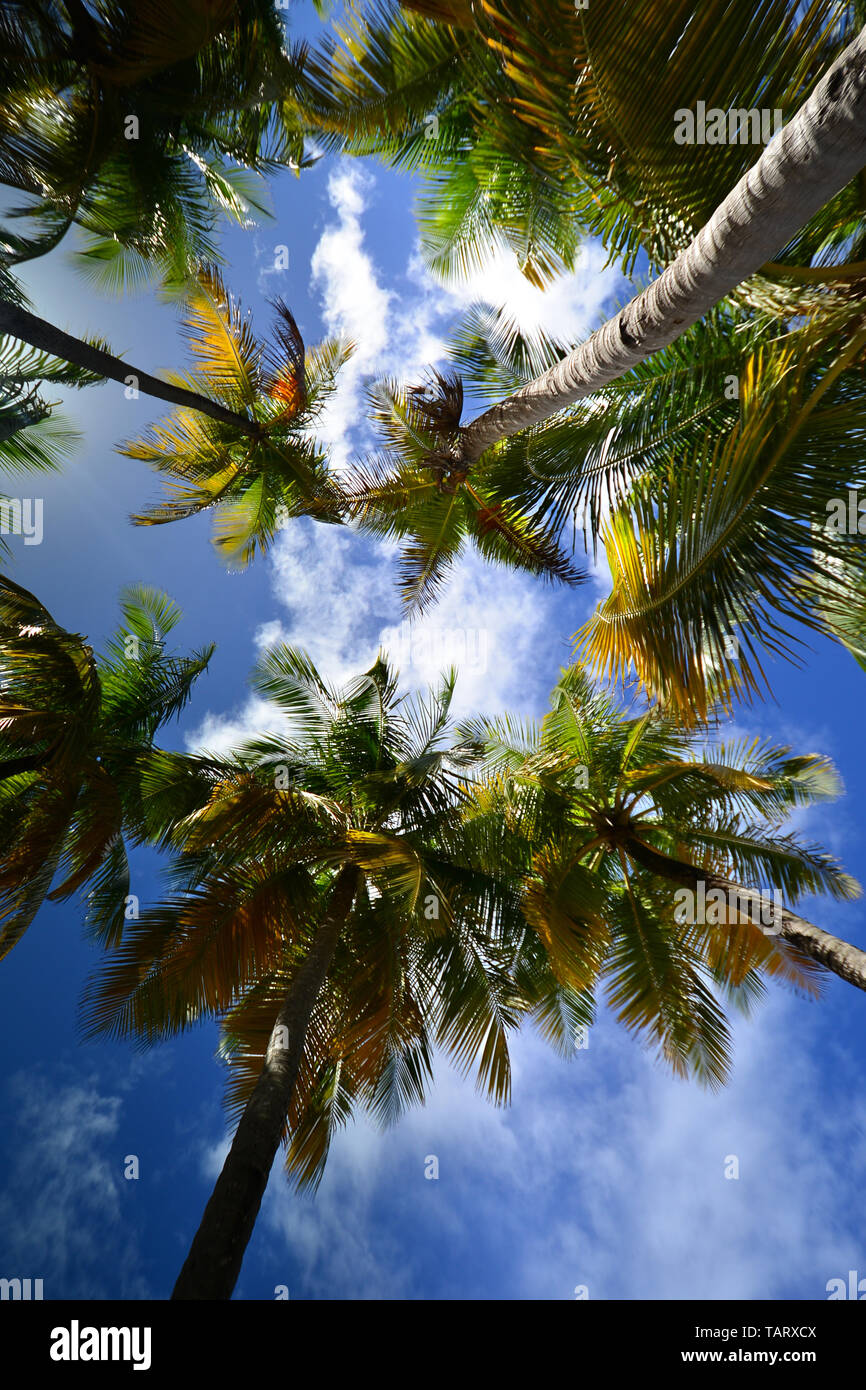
(835, 954)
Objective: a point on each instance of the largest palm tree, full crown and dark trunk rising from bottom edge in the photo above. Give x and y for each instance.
(340, 919)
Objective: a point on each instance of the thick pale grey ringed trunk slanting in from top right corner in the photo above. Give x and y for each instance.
(811, 161)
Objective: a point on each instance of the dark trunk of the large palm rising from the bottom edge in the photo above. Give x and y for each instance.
(218, 1252)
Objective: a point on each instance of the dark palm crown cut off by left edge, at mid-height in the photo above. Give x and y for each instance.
(76, 732)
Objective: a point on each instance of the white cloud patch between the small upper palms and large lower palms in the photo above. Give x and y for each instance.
(507, 633)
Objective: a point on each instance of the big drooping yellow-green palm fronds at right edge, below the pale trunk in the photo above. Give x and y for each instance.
(722, 555)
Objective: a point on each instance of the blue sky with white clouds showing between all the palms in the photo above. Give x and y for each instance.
(605, 1172)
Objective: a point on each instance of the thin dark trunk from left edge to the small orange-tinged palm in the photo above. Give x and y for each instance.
(38, 333)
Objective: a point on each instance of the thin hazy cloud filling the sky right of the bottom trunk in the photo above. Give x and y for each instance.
(607, 1172)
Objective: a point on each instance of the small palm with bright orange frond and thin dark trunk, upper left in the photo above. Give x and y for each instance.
(243, 437)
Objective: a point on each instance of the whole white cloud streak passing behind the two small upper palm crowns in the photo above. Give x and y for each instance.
(507, 633)
